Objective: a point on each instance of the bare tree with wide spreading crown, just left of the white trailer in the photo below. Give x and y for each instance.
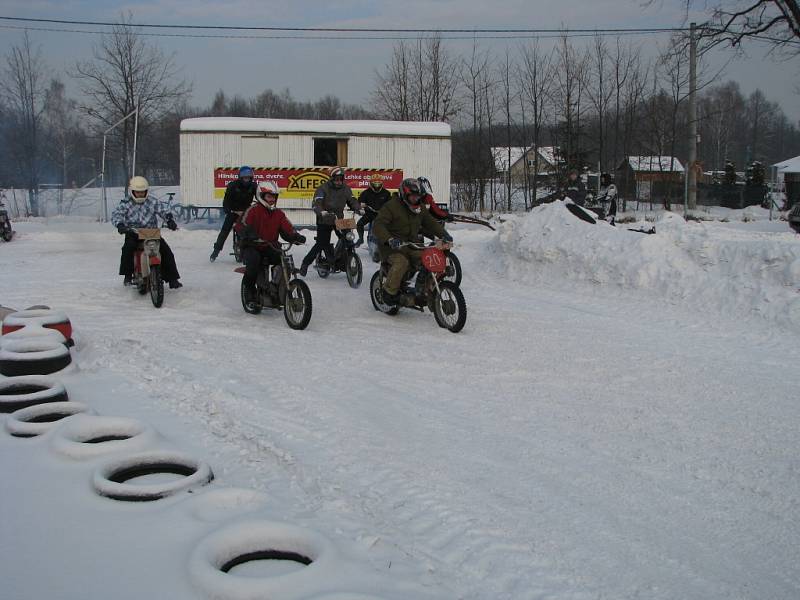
(126, 71)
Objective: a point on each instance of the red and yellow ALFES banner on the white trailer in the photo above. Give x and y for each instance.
(300, 183)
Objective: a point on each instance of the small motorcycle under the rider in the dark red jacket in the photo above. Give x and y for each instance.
(278, 287)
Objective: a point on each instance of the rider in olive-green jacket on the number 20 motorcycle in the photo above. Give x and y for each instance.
(401, 220)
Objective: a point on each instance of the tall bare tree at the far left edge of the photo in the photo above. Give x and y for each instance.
(24, 95)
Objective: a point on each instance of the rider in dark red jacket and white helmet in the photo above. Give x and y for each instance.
(264, 221)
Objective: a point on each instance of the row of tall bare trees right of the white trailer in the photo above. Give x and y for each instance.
(598, 102)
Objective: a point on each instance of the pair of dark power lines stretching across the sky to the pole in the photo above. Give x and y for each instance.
(398, 31)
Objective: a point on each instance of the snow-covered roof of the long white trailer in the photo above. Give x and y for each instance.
(389, 128)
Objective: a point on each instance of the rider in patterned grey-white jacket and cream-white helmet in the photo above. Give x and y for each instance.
(140, 210)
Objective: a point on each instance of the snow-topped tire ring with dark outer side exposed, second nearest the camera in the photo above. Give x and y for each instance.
(112, 479)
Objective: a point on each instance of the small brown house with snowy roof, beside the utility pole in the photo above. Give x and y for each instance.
(650, 178)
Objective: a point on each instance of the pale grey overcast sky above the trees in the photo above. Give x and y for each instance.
(311, 68)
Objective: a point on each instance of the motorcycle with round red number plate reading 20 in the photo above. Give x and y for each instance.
(425, 286)
